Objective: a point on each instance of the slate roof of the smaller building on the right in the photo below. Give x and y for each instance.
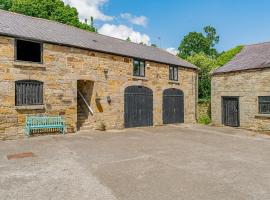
(255, 56)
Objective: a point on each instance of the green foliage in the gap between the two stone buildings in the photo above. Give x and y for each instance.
(205, 64)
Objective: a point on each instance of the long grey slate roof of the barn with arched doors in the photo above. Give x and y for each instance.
(17, 25)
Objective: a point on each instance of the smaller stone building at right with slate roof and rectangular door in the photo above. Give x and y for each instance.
(241, 90)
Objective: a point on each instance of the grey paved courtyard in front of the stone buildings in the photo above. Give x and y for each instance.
(173, 162)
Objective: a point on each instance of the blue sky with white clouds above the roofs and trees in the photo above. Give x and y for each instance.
(166, 22)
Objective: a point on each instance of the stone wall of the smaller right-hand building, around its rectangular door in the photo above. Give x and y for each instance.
(248, 85)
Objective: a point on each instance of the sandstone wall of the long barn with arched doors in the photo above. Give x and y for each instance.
(61, 69)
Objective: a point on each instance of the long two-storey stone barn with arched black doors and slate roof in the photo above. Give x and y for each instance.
(93, 81)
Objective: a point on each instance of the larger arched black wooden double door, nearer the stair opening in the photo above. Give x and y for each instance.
(138, 107)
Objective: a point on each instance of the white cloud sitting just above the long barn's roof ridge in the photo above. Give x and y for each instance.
(123, 32)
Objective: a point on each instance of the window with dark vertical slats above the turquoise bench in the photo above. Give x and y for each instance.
(28, 92)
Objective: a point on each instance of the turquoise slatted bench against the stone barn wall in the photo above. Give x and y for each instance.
(36, 123)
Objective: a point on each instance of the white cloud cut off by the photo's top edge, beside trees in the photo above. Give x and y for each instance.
(88, 8)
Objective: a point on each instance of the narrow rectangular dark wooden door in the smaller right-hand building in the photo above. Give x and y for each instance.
(230, 113)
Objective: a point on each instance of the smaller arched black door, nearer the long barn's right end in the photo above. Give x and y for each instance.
(173, 106)
